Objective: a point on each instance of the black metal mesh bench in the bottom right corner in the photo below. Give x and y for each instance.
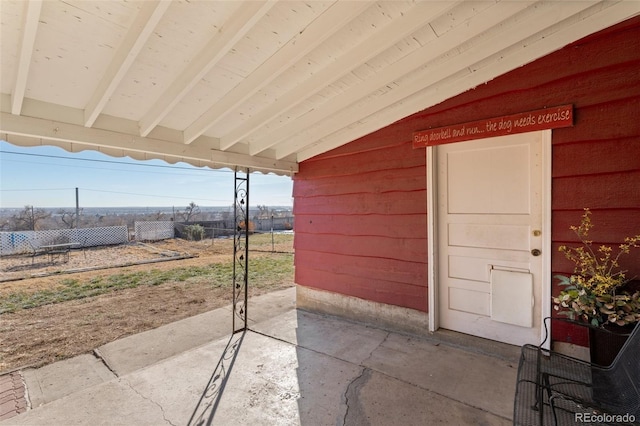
(556, 389)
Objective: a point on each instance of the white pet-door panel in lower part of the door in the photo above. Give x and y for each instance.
(512, 297)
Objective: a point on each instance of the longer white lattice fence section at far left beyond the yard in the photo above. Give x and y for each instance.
(26, 241)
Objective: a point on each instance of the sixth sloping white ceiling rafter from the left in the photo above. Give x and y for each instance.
(416, 59)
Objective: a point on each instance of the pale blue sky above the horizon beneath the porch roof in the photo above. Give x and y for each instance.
(47, 176)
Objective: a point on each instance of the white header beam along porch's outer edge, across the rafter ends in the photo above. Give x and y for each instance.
(57, 131)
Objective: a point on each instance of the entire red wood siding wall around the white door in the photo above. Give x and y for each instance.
(361, 209)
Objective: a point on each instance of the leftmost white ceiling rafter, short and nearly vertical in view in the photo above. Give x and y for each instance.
(29, 30)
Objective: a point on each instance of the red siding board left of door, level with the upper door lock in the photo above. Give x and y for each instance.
(399, 226)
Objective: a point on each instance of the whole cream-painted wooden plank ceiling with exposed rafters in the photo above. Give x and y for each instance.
(259, 85)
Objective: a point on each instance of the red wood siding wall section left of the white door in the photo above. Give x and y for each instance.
(361, 221)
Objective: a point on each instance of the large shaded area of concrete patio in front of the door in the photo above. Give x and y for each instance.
(351, 374)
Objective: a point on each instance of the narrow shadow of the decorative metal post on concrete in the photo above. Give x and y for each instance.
(206, 408)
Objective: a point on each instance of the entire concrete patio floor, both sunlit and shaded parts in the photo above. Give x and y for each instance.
(291, 367)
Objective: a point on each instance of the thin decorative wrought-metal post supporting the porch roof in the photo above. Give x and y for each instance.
(241, 251)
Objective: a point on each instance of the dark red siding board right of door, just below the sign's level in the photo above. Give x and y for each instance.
(612, 156)
